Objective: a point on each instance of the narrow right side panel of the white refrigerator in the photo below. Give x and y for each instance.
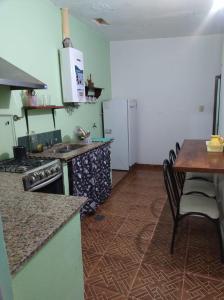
(132, 142)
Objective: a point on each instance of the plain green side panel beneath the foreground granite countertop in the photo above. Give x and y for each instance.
(55, 272)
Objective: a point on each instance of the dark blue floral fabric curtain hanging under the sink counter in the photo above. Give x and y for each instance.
(91, 177)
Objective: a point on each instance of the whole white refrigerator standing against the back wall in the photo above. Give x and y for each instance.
(119, 118)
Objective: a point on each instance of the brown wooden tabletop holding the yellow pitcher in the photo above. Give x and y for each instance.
(193, 157)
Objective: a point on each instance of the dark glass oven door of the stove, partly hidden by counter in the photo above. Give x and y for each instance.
(51, 186)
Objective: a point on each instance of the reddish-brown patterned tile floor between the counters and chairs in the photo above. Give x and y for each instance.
(126, 255)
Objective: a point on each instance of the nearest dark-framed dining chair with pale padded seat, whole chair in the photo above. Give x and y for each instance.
(188, 205)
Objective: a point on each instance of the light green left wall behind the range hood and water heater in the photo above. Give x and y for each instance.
(31, 35)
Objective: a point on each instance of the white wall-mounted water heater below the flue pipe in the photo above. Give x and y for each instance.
(72, 76)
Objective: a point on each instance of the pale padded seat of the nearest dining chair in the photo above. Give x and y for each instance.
(199, 204)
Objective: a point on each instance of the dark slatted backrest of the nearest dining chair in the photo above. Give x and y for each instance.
(171, 188)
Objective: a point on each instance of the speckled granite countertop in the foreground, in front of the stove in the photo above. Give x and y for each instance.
(31, 219)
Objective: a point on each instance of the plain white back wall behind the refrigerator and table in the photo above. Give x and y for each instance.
(170, 78)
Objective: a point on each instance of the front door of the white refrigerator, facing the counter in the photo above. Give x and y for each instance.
(115, 115)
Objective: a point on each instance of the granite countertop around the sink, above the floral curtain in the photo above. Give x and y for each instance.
(52, 152)
